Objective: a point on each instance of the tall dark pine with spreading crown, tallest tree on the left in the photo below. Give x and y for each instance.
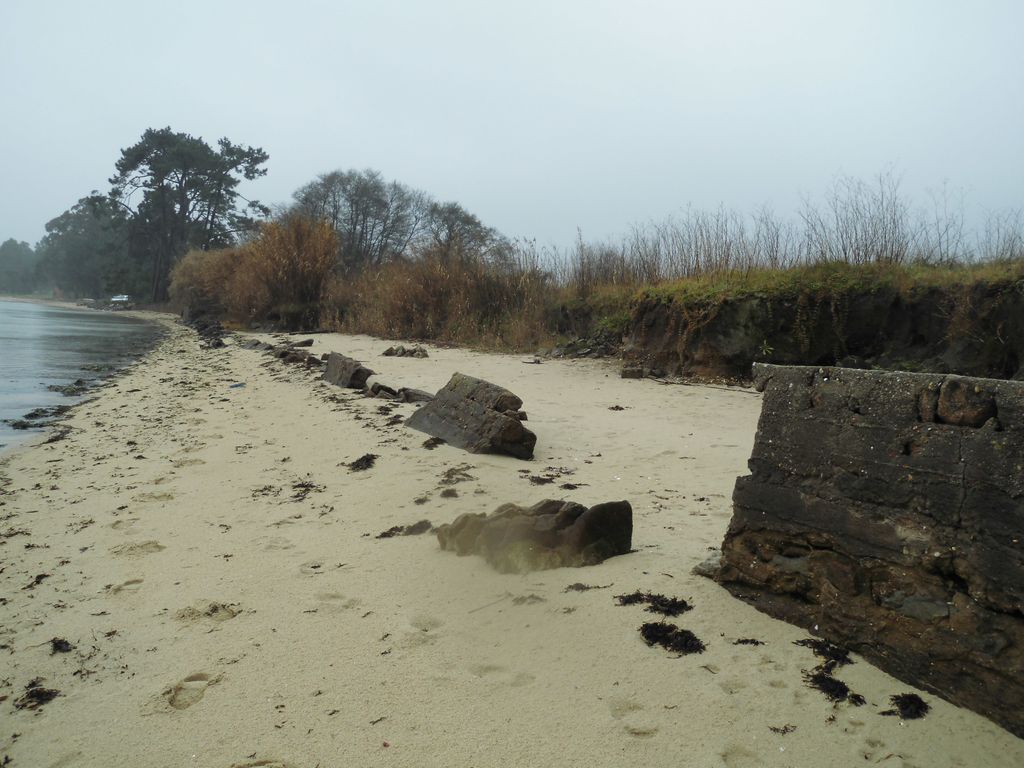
(182, 194)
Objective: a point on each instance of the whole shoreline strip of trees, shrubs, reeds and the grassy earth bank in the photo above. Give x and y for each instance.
(862, 278)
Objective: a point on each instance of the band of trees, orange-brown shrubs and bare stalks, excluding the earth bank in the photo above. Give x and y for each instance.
(355, 251)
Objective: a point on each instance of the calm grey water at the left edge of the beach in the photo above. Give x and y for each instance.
(45, 346)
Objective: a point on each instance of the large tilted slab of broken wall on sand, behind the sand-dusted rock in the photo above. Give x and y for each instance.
(477, 416)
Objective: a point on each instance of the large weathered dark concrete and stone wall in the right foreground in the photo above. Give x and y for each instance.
(887, 511)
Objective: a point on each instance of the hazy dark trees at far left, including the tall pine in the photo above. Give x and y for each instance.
(170, 193)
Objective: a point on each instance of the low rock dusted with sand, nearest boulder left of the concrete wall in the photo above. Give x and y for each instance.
(549, 535)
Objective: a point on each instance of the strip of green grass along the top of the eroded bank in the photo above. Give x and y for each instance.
(832, 279)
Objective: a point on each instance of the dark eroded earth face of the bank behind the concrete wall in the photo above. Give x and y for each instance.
(975, 330)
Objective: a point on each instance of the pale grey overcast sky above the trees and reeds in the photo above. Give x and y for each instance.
(539, 116)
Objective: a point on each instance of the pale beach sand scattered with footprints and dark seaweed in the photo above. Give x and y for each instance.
(215, 565)
